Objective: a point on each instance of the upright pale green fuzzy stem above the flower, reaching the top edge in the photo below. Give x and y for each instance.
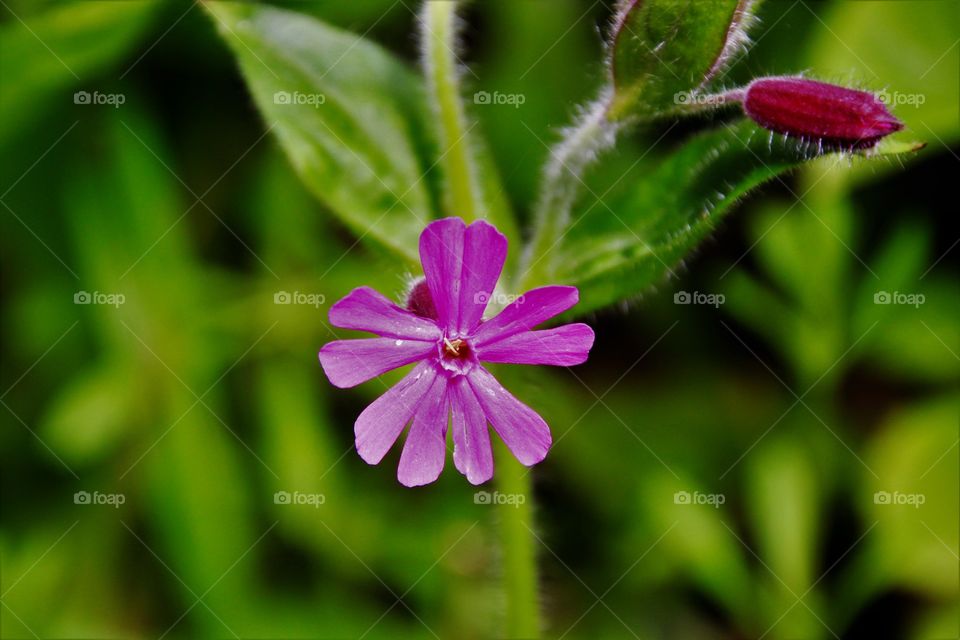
(438, 37)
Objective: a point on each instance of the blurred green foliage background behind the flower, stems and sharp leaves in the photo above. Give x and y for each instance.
(780, 461)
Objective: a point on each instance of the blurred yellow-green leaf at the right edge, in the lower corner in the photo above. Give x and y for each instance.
(909, 502)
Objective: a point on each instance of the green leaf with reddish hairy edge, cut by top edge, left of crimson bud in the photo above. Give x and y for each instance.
(662, 48)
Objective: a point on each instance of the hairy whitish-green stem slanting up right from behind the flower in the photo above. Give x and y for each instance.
(592, 134)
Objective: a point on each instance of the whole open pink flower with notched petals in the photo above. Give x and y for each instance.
(444, 333)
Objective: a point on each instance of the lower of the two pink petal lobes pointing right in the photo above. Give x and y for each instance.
(563, 346)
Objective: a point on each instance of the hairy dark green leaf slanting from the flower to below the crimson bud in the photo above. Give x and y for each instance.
(622, 245)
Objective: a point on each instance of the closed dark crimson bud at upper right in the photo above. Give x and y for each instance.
(832, 116)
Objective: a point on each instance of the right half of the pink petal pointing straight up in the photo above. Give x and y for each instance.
(484, 252)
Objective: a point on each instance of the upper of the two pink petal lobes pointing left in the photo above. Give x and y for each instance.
(364, 309)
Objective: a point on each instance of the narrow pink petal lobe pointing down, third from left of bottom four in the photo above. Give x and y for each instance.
(472, 454)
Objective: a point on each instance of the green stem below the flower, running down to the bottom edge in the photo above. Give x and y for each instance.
(518, 547)
